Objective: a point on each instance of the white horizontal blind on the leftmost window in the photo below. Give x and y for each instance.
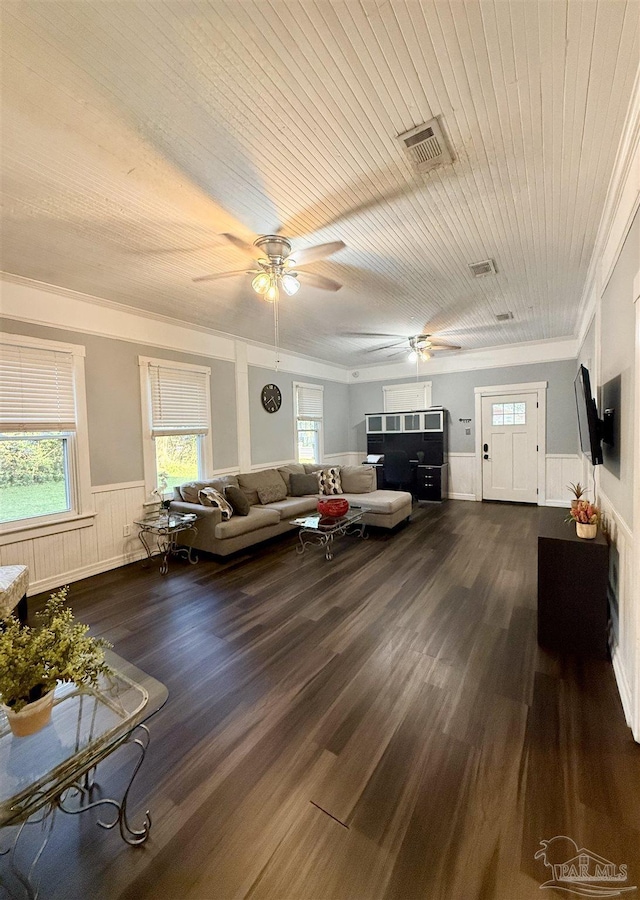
(36, 389)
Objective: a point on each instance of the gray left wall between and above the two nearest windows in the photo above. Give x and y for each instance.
(113, 401)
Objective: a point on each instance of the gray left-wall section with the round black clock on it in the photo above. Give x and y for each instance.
(272, 434)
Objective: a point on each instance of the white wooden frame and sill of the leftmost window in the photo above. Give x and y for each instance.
(78, 481)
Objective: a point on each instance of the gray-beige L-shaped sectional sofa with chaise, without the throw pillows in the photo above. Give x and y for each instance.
(221, 536)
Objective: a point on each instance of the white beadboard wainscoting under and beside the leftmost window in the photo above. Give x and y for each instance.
(57, 559)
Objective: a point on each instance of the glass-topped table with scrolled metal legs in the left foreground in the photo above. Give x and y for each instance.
(54, 769)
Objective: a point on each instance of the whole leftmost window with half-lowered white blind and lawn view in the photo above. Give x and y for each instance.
(43, 475)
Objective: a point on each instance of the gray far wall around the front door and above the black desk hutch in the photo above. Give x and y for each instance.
(455, 392)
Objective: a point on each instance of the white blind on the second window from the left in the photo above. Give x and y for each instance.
(178, 401)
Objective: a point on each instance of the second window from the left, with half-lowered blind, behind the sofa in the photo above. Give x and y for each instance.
(177, 428)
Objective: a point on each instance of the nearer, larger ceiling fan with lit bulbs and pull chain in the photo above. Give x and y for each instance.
(275, 265)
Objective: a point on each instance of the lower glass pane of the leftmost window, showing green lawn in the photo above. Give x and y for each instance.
(34, 476)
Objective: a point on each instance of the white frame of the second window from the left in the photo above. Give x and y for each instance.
(204, 441)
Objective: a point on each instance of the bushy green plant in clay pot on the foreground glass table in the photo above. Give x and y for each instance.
(33, 660)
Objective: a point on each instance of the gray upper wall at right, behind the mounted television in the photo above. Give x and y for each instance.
(617, 362)
